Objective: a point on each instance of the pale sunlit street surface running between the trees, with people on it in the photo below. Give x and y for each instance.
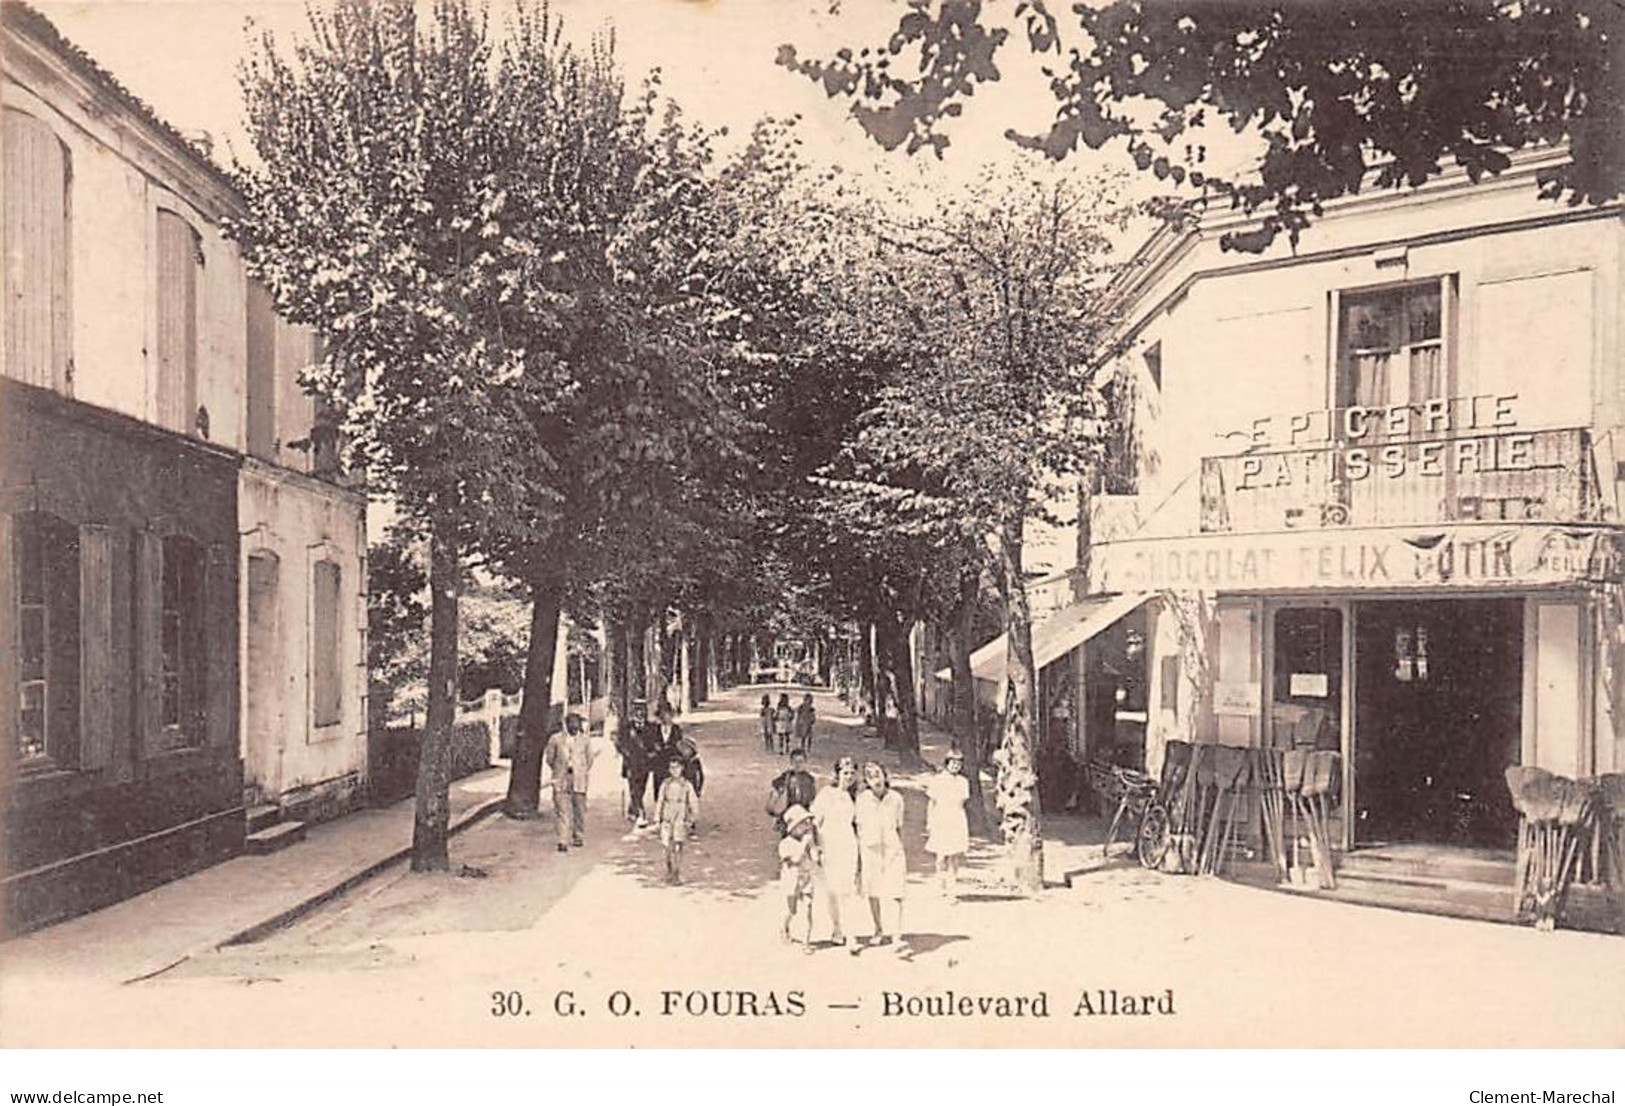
(594, 949)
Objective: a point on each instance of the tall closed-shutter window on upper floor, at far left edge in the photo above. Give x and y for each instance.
(37, 184)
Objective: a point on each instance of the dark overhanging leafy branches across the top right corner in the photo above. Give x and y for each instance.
(1330, 90)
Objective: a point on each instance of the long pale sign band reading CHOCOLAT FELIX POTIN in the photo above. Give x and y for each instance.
(1467, 556)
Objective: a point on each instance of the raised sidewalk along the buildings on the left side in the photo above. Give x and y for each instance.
(233, 901)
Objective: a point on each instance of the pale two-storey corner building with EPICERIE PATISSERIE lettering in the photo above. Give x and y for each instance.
(1376, 501)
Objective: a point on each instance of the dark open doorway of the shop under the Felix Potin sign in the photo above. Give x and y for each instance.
(1439, 699)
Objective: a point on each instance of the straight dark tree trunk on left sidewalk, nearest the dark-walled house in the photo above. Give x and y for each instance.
(435, 810)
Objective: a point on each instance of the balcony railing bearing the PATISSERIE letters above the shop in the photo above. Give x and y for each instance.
(1510, 475)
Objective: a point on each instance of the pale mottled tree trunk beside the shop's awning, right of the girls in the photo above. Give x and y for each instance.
(1018, 779)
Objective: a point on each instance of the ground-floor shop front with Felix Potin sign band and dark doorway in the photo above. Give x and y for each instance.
(1428, 660)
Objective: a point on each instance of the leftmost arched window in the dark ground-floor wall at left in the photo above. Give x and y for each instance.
(45, 553)
